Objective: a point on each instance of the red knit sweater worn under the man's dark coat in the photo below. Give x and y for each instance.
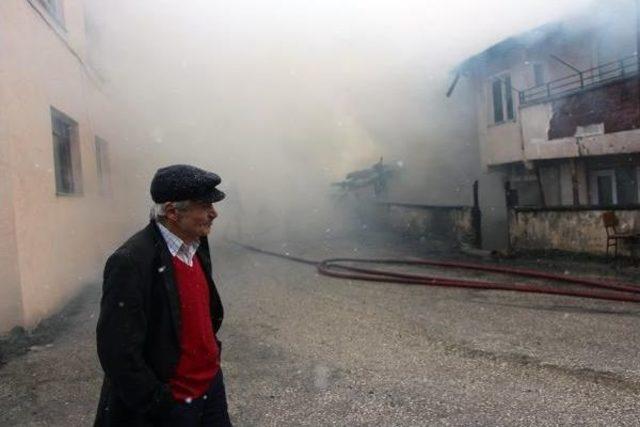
(199, 354)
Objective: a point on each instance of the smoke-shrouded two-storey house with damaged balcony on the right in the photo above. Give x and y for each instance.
(558, 117)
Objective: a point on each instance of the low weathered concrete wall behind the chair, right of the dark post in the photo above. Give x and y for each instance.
(580, 231)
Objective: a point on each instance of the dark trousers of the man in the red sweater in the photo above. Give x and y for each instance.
(209, 410)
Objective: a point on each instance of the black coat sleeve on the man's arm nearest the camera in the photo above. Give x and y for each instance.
(121, 334)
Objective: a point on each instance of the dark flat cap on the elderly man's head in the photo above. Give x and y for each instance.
(177, 183)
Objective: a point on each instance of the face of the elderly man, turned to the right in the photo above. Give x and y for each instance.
(195, 221)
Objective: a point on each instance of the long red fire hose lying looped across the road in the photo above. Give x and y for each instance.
(597, 288)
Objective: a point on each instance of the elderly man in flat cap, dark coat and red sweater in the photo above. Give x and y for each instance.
(160, 312)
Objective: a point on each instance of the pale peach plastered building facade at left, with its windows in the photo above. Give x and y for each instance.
(61, 180)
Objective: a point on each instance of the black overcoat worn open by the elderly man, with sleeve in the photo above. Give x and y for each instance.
(138, 329)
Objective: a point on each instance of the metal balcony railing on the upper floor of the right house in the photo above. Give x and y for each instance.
(594, 77)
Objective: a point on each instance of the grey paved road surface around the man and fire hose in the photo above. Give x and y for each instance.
(301, 349)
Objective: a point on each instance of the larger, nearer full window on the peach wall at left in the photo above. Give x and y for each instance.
(66, 153)
